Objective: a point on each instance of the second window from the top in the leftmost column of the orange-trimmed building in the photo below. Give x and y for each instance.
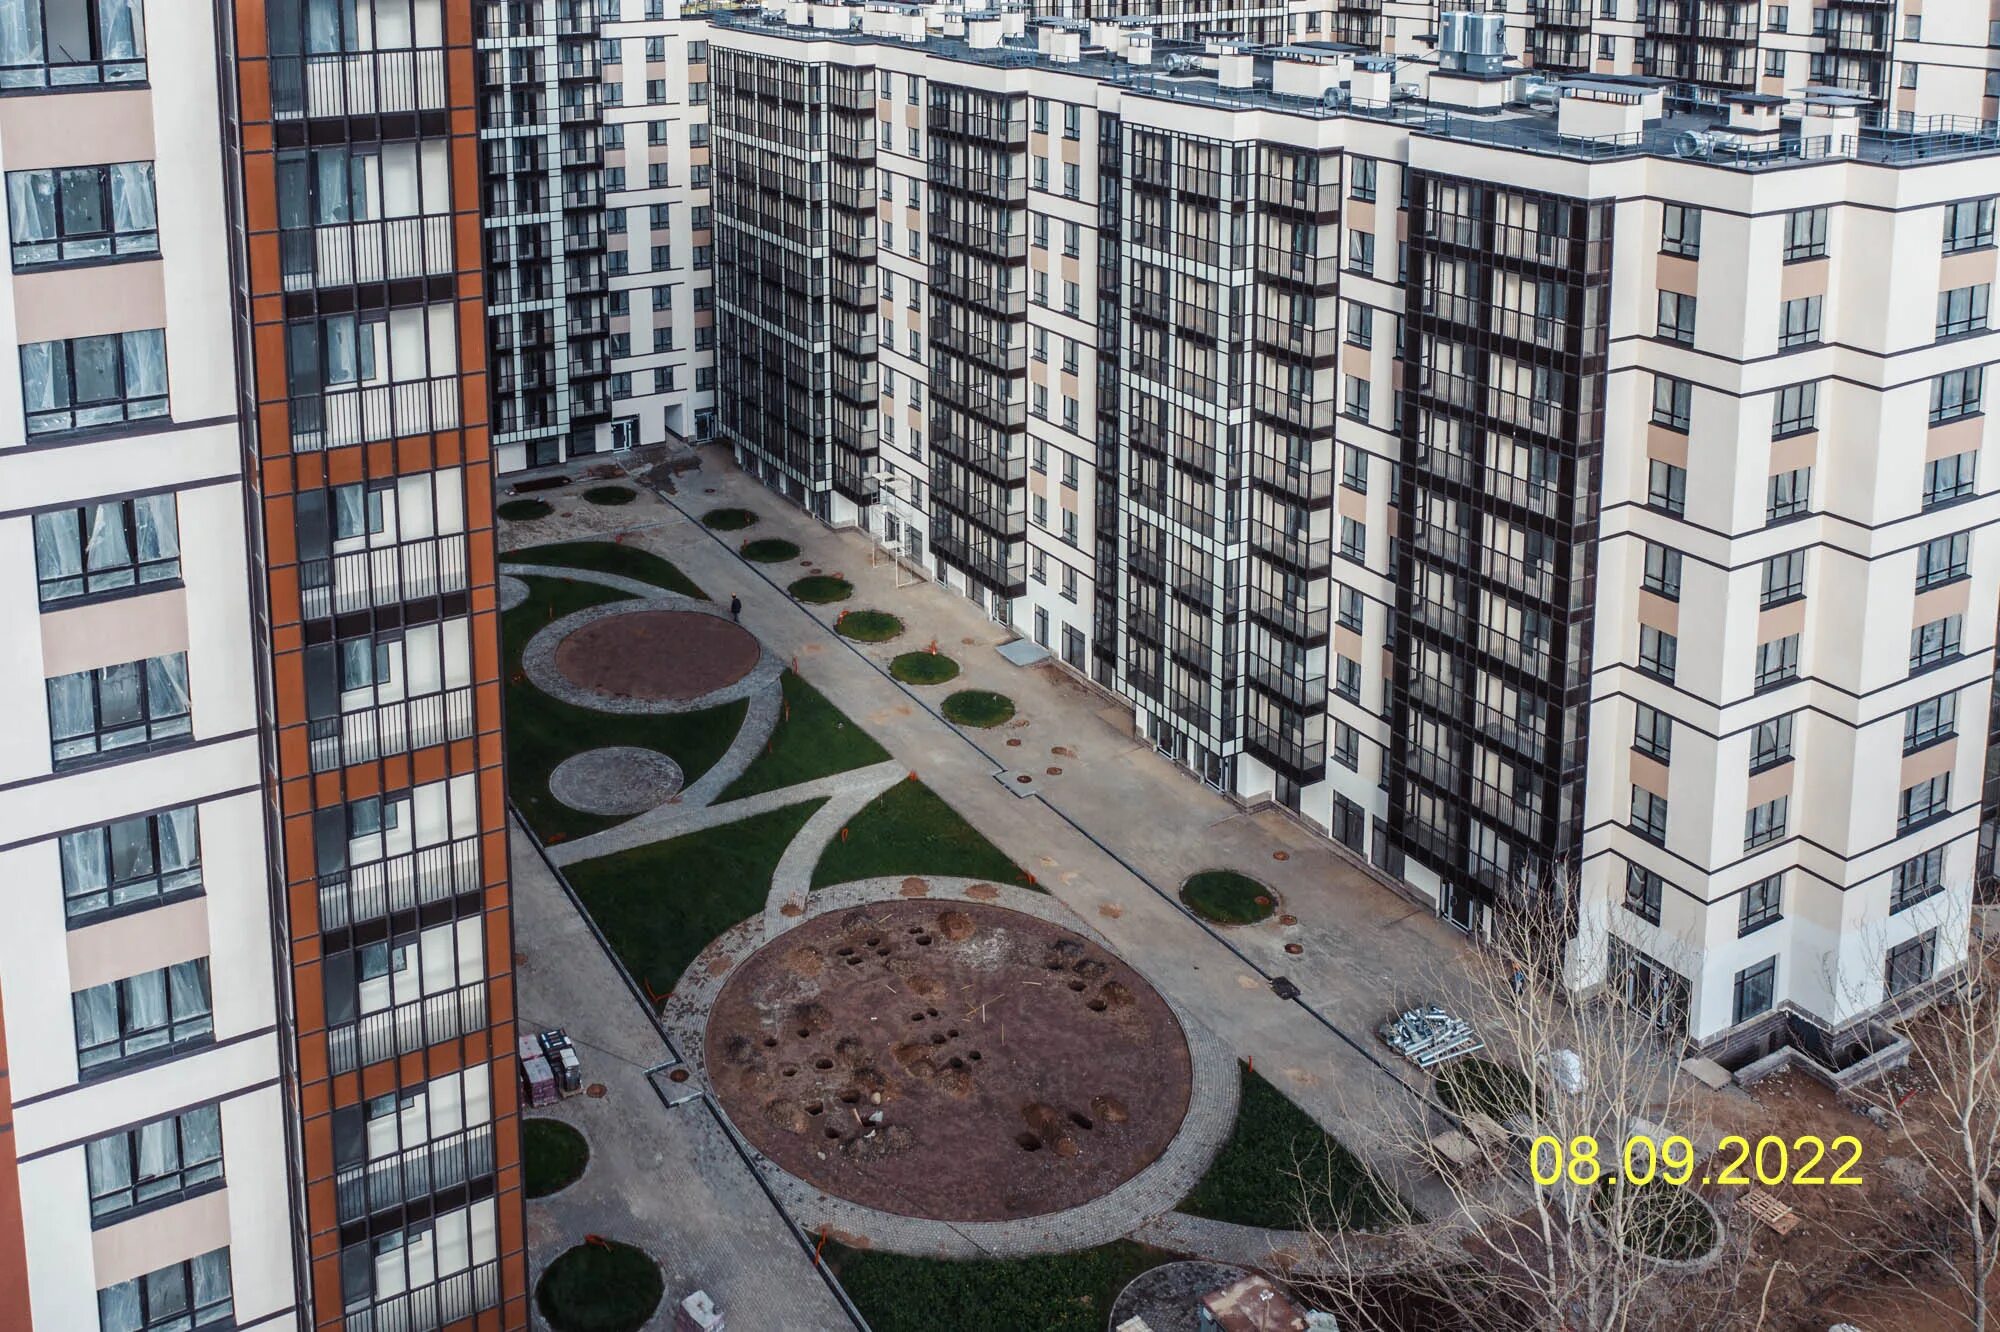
(79, 215)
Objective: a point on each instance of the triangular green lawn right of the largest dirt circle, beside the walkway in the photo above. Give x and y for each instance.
(1281, 1167)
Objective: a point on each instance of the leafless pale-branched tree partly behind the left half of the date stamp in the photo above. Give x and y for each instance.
(1593, 1073)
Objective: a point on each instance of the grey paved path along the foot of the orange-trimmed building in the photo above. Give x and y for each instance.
(665, 1179)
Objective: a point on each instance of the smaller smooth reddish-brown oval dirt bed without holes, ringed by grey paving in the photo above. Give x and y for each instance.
(657, 655)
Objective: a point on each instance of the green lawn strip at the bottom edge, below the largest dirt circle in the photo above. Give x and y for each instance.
(1053, 1293)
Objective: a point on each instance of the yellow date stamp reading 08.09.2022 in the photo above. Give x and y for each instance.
(1739, 1161)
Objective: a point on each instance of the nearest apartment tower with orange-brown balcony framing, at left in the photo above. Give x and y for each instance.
(255, 995)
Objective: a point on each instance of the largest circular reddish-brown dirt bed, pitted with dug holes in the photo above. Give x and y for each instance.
(949, 1061)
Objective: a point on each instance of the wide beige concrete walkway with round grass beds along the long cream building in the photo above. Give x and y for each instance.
(1115, 833)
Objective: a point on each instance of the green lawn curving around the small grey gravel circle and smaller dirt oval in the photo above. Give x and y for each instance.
(543, 731)
